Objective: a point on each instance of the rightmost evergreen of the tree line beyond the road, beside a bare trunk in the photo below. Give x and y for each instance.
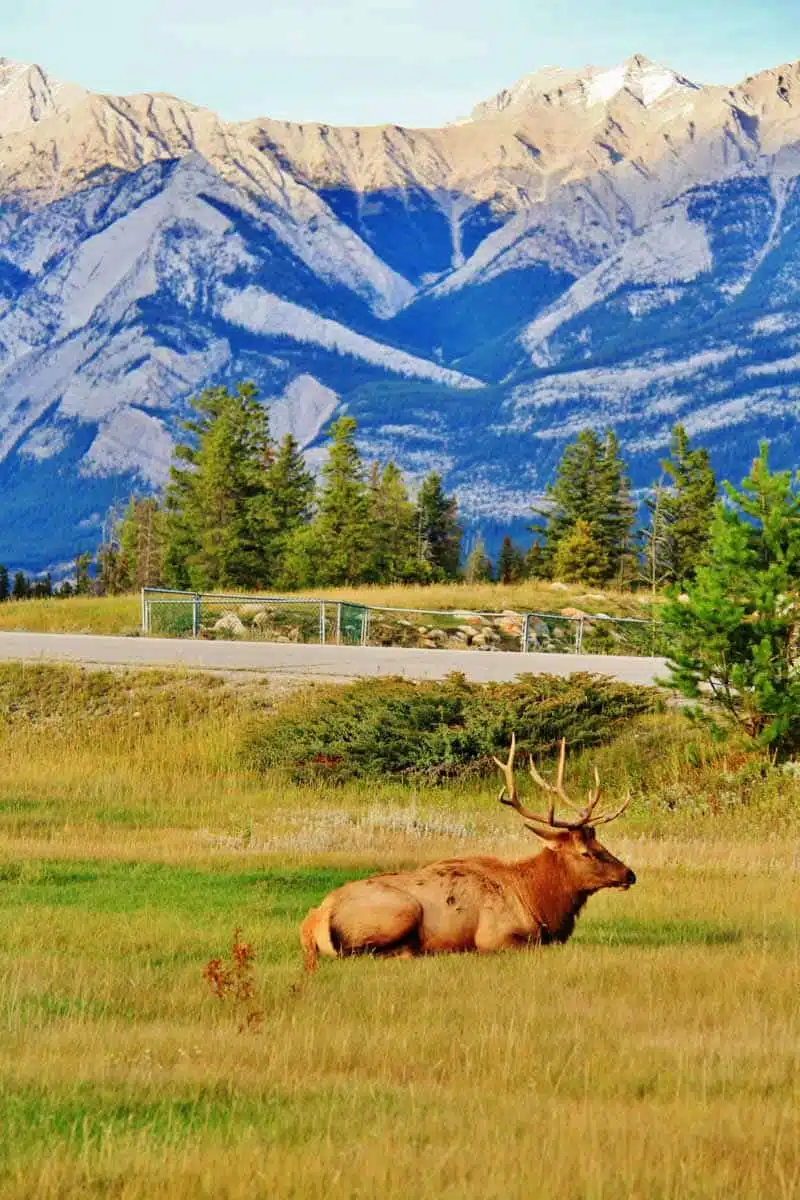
(685, 509)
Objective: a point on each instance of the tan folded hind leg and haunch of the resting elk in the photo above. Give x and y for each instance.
(378, 920)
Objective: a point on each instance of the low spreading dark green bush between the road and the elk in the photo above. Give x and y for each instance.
(399, 729)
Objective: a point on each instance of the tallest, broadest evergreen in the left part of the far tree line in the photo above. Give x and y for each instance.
(221, 525)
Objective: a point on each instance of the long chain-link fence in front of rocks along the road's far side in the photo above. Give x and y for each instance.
(167, 614)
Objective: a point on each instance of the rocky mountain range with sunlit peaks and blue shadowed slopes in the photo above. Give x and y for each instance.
(609, 248)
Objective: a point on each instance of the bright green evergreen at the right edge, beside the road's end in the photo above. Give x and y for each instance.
(735, 643)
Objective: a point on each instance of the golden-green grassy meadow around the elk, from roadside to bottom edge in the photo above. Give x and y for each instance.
(657, 1055)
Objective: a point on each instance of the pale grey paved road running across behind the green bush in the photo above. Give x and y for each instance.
(336, 662)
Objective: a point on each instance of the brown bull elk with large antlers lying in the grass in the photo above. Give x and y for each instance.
(477, 904)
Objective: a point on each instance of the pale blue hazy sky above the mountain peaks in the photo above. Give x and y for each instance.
(369, 62)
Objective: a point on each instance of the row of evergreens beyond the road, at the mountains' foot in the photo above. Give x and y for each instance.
(242, 512)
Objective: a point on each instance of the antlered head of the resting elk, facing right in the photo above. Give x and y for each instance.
(590, 865)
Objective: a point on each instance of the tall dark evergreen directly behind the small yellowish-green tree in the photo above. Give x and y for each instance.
(591, 487)
